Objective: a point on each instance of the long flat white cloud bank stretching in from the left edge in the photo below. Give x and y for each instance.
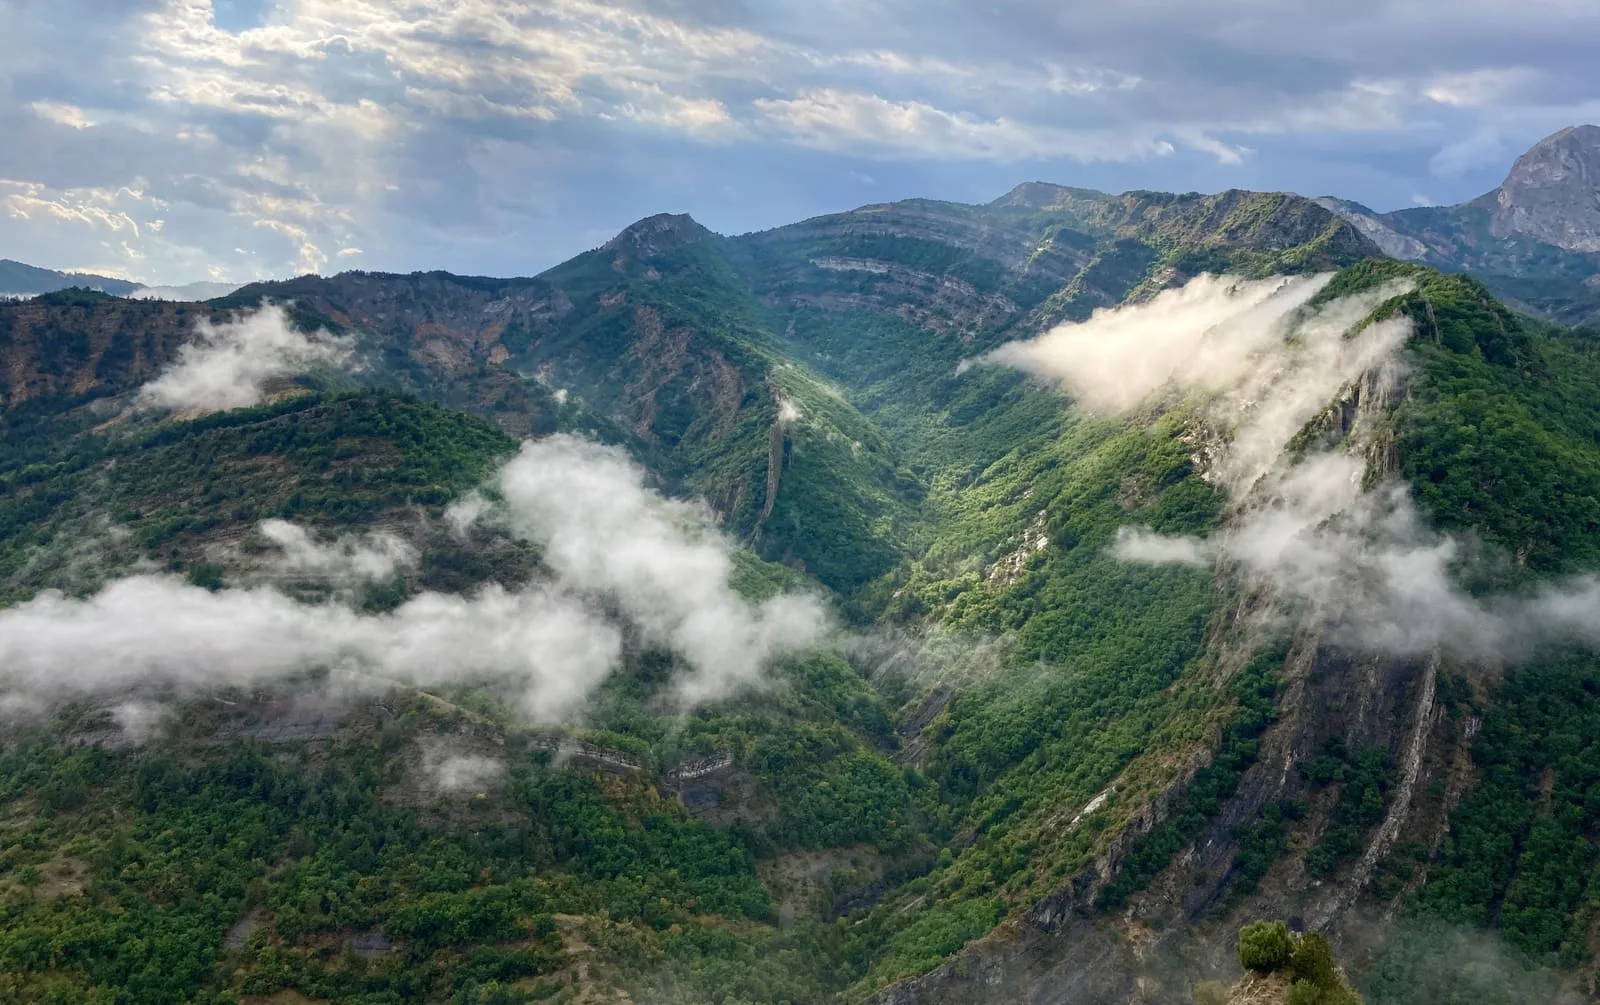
(546, 649)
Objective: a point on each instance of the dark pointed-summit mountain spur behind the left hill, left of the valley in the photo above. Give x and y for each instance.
(654, 335)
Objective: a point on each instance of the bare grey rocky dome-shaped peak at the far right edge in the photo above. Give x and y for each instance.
(1553, 193)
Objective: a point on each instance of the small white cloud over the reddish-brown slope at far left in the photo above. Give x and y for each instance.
(230, 366)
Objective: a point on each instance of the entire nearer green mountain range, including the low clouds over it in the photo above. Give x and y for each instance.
(1105, 678)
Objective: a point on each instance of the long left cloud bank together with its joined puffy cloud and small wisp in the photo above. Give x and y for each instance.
(623, 559)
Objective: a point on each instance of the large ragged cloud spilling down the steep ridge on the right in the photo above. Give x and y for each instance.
(1327, 532)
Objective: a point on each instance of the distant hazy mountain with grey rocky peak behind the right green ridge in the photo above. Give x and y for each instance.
(1535, 239)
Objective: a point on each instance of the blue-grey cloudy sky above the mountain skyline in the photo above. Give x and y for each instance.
(172, 142)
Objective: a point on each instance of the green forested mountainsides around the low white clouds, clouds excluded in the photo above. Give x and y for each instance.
(1033, 772)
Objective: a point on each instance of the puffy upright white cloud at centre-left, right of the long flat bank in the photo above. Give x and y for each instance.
(604, 534)
